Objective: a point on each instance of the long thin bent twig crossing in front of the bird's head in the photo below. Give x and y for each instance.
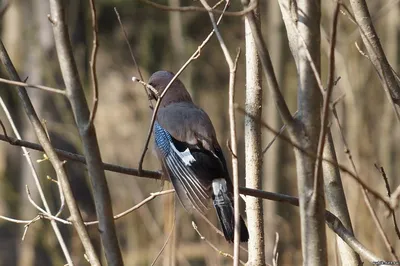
(194, 56)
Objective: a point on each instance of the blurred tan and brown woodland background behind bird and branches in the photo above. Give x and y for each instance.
(165, 40)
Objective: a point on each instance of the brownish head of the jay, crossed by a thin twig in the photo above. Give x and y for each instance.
(176, 93)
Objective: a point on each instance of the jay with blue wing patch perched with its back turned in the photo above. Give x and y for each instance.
(190, 155)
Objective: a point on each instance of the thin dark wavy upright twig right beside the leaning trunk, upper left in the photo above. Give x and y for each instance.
(93, 58)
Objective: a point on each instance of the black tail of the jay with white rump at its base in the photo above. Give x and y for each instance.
(224, 206)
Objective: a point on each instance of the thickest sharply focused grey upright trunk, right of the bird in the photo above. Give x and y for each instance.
(304, 37)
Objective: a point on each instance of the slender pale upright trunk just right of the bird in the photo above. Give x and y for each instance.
(253, 150)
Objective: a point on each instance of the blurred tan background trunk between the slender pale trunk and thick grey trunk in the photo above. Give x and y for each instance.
(273, 158)
